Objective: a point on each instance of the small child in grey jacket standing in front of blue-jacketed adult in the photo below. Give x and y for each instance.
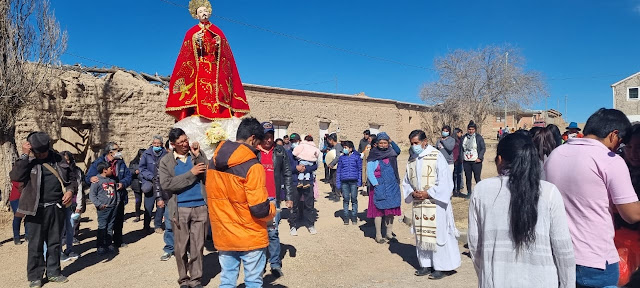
(103, 195)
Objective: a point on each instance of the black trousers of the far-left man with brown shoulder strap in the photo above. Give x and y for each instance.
(47, 226)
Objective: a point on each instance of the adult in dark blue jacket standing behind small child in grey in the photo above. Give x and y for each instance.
(112, 155)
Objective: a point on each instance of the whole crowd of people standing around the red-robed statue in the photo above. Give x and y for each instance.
(548, 219)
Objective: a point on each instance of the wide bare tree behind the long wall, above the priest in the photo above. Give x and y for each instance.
(474, 84)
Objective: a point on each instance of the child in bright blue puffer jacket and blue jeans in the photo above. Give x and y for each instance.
(348, 179)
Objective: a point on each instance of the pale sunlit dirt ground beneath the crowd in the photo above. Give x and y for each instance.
(338, 256)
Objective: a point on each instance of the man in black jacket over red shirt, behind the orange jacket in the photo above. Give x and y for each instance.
(275, 160)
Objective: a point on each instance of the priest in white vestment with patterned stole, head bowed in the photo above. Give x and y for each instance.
(428, 186)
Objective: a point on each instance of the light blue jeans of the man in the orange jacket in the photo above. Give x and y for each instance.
(253, 262)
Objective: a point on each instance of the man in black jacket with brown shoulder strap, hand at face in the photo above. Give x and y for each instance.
(49, 183)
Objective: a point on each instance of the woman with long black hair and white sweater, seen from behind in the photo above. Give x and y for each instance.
(531, 247)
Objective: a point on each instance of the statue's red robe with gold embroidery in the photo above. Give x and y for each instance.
(205, 81)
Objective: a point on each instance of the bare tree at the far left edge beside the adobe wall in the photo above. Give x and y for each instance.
(30, 42)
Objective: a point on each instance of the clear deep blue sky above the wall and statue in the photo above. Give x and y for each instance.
(581, 47)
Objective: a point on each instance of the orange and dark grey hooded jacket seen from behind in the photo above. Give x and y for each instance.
(237, 198)
